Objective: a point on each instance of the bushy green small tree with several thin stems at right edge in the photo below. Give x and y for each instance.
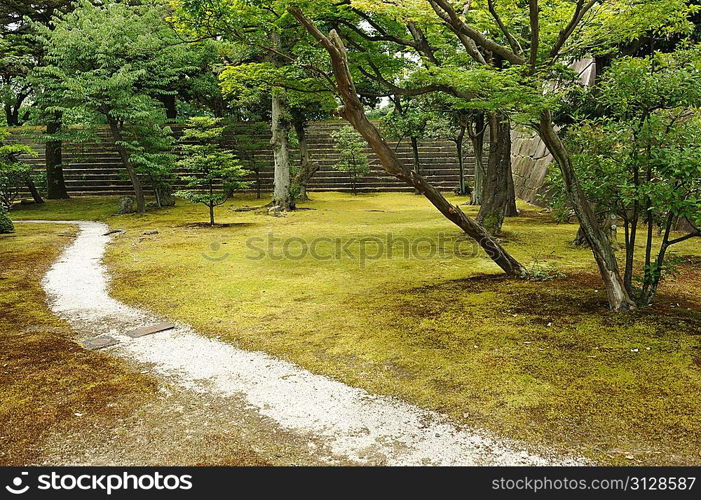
(641, 161)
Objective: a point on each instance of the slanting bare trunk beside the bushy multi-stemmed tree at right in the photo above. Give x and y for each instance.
(618, 296)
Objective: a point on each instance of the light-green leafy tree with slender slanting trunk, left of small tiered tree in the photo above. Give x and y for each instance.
(111, 63)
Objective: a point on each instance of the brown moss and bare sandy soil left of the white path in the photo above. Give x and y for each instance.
(60, 403)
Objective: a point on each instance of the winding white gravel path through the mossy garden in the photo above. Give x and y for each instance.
(354, 424)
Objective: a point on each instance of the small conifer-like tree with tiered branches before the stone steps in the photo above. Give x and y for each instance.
(215, 171)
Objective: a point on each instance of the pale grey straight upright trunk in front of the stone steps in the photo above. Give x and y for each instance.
(280, 129)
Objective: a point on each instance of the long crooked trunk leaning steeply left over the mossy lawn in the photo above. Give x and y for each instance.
(355, 114)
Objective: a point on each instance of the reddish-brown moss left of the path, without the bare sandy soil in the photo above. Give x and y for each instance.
(46, 377)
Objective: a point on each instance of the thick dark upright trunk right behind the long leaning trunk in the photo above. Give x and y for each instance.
(495, 184)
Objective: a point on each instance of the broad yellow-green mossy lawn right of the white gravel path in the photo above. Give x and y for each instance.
(543, 362)
